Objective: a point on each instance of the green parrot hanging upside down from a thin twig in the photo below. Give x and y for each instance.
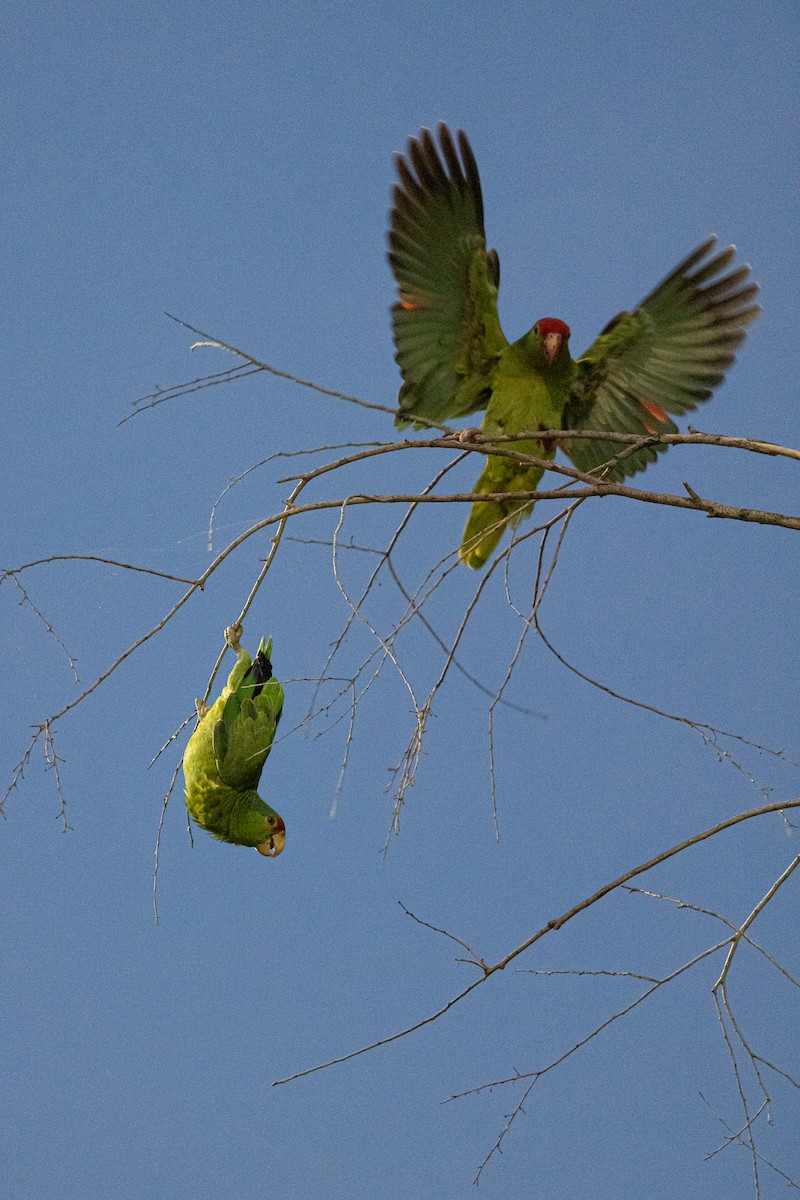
(225, 757)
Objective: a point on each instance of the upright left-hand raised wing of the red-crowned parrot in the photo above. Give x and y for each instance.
(447, 329)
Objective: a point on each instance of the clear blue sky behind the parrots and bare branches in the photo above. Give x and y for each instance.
(232, 165)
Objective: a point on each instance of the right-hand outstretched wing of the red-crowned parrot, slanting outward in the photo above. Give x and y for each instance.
(666, 357)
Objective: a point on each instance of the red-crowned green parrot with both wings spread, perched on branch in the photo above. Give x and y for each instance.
(665, 357)
